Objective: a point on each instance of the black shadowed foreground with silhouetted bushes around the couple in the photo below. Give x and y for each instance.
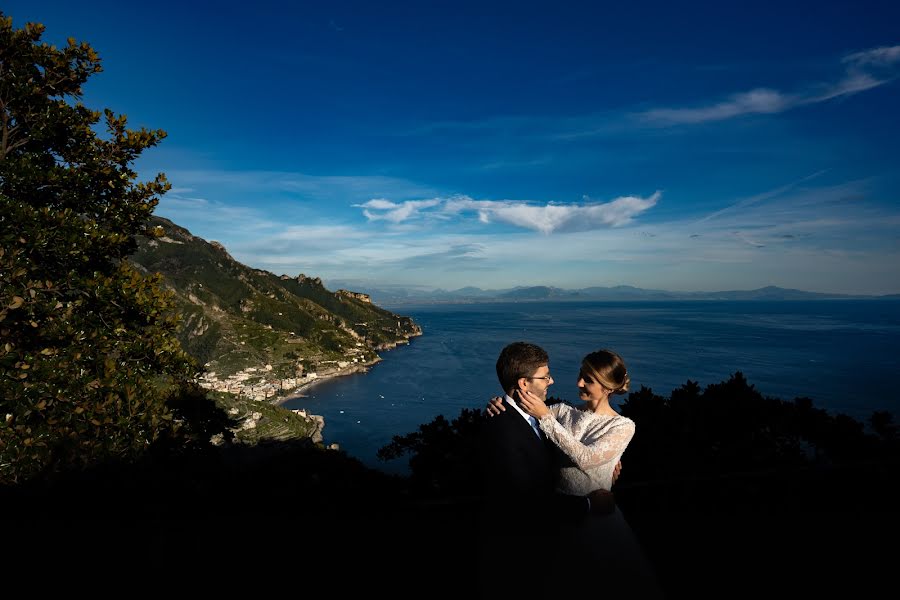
(730, 494)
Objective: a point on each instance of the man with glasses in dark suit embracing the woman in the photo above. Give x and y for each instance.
(519, 473)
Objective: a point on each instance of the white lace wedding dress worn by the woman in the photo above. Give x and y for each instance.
(592, 445)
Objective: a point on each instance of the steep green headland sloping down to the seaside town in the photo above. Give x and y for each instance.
(234, 316)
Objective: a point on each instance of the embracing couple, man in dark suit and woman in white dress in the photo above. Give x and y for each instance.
(549, 522)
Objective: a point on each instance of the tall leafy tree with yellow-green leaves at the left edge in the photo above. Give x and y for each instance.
(90, 367)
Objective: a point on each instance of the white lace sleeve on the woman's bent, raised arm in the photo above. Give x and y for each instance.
(601, 443)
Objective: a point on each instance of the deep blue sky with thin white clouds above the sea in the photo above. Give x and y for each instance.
(681, 146)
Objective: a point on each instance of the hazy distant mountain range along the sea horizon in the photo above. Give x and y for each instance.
(399, 295)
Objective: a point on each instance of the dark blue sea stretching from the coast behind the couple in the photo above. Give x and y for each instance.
(842, 354)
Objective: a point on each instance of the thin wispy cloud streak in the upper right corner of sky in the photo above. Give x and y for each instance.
(863, 70)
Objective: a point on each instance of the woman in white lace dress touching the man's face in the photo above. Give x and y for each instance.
(591, 440)
